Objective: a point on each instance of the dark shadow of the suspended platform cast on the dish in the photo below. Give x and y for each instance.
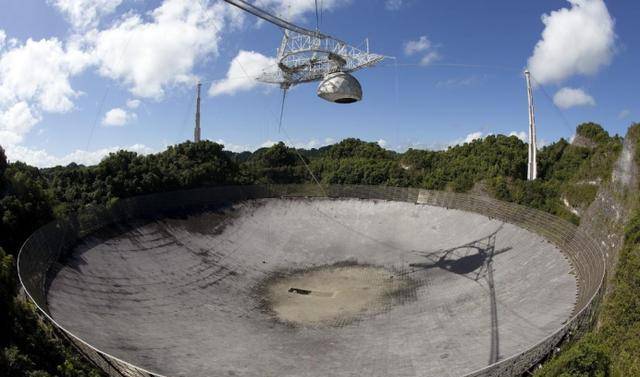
(473, 260)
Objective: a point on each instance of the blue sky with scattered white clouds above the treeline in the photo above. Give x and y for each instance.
(81, 78)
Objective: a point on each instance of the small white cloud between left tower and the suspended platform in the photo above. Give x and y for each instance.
(242, 73)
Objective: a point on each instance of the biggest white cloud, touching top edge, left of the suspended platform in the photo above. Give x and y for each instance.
(149, 56)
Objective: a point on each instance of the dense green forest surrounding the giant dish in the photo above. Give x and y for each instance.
(570, 174)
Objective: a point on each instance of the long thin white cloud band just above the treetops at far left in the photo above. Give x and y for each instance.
(42, 159)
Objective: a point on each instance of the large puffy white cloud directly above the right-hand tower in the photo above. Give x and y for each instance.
(575, 40)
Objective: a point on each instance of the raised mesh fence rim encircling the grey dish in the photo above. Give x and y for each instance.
(50, 243)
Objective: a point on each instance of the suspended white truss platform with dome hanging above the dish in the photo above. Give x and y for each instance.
(307, 56)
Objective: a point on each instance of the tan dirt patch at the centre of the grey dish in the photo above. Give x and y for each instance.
(334, 295)
